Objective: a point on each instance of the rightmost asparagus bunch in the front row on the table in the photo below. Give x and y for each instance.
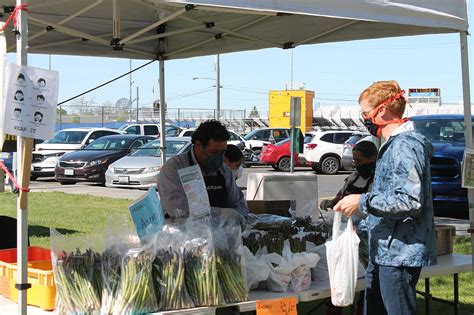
(231, 277)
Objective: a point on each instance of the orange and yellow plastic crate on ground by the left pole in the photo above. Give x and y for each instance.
(40, 275)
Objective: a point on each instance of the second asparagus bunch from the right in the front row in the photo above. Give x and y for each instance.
(201, 273)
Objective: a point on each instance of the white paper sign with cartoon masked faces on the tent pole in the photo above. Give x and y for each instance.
(30, 100)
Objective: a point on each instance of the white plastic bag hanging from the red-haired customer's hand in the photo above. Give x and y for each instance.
(342, 254)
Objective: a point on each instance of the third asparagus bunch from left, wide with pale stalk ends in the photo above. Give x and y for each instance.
(136, 292)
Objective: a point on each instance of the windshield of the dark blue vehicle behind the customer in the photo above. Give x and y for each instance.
(442, 130)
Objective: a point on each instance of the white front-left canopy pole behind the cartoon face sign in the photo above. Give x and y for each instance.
(24, 147)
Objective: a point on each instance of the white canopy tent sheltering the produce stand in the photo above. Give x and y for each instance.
(173, 29)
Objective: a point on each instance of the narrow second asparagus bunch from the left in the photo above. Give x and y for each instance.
(111, 269)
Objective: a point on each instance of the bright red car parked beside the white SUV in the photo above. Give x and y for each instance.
(278, 156)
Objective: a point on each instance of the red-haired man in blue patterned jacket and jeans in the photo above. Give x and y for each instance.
(399, 207)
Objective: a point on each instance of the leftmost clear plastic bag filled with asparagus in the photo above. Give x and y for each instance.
(77, 273)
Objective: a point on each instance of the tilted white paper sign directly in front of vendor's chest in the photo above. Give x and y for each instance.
(195, 189)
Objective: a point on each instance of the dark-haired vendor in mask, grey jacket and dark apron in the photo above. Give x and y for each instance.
(209, 145)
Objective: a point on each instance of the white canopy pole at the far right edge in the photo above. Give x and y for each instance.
(467, 122)
